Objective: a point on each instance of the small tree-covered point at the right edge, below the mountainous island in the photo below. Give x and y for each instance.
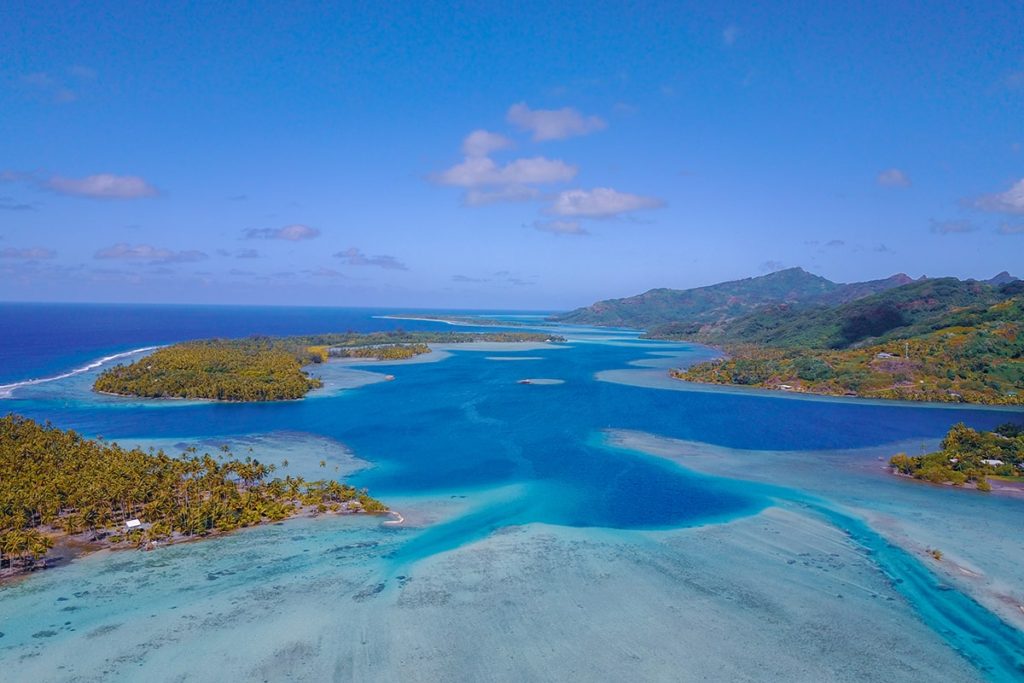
(969, 457)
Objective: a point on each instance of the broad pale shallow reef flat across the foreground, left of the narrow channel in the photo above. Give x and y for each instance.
(775, 596)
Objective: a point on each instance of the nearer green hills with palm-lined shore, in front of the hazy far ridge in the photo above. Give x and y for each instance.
(937, 340)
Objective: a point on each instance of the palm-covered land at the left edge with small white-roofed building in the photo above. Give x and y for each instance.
(58, 487)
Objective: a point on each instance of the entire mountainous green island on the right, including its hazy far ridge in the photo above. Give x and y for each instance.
(930, 339)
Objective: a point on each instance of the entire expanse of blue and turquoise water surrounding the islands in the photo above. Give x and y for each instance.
(617, 524)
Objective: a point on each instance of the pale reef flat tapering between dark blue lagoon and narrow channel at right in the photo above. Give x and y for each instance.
(979, 545)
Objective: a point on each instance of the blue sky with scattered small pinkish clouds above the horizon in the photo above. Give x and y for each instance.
(501, 155)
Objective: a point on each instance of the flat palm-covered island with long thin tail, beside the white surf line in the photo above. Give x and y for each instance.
(259, 369)
